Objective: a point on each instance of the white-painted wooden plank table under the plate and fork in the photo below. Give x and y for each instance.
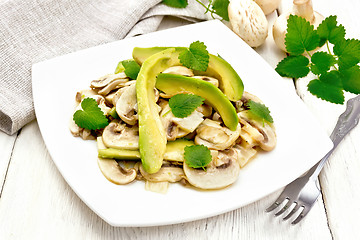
(36, 202)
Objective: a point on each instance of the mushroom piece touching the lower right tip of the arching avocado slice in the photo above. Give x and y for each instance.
(211, 134)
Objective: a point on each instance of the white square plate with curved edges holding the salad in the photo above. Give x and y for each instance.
(301, 141)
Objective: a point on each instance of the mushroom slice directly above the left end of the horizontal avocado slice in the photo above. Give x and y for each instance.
(120, 136)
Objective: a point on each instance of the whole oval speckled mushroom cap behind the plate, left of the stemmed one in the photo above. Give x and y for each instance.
(248, 21)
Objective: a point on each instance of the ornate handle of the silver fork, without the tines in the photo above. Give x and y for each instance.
(346, 122)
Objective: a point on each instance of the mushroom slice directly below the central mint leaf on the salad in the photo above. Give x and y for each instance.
(179, 127)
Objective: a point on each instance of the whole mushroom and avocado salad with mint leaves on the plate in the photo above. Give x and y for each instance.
(173, 114)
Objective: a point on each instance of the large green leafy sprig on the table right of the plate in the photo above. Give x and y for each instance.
(335, 72)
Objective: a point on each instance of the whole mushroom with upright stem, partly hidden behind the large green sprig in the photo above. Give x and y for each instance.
(302, 8)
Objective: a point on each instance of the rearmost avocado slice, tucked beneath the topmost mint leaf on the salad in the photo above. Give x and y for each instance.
(229, 81)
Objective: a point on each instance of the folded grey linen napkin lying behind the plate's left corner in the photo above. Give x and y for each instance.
(35, 30)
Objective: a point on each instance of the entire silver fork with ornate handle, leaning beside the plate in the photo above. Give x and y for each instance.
(303, 192)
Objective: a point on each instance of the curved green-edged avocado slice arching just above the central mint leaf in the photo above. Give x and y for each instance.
(174, 84)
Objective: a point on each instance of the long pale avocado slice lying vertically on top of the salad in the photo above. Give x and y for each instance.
(152, 135)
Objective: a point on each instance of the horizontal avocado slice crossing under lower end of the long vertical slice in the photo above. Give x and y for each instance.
(174, 151)
